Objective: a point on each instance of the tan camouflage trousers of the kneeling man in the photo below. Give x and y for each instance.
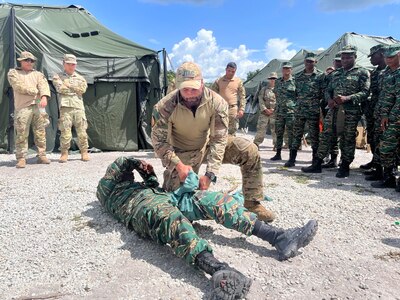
(239, 151)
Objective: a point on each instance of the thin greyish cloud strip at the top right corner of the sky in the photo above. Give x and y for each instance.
(341, 5)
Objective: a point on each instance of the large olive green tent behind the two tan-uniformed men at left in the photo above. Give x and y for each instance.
(123, 77)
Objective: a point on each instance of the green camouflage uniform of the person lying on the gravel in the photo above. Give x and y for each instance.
(149, 211)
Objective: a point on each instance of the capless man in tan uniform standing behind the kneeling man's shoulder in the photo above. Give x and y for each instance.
(232, 90)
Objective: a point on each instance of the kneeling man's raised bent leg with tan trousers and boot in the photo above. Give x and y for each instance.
(242, 152)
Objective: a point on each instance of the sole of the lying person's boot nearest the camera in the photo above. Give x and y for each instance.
(229, 285)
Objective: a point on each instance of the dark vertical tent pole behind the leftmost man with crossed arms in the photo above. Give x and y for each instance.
(12, 64)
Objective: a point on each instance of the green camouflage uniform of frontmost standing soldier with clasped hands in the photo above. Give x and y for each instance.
(354, 83)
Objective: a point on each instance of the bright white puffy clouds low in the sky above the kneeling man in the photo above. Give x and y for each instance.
(205, 51)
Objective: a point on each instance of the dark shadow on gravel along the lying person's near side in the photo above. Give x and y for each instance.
(147, 250)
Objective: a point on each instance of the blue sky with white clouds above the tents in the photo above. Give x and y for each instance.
(251, 33)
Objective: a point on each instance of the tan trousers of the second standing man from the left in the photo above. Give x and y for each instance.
(69, 117)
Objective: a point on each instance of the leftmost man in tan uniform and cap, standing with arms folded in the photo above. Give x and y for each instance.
(31, 91)
